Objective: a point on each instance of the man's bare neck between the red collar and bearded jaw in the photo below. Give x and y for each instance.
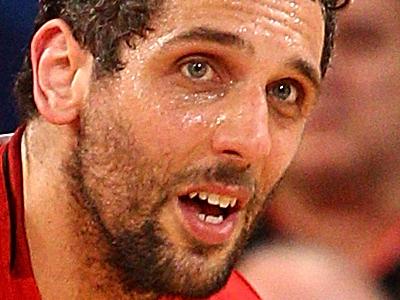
(67, 248)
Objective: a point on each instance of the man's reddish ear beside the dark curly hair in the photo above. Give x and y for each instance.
(62, 73)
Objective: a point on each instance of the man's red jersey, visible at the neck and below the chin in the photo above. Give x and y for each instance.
(17, 281)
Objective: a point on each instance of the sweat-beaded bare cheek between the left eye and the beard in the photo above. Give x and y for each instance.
(163, 123)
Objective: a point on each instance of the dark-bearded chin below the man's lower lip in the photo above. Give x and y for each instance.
(147, 262)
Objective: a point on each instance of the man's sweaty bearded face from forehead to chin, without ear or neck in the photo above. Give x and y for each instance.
(179, 151)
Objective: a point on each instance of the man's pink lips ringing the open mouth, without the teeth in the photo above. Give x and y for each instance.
(211, 234)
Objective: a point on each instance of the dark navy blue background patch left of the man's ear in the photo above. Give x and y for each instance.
(16, 21)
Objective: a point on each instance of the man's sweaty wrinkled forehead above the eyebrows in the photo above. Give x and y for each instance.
(290, 24)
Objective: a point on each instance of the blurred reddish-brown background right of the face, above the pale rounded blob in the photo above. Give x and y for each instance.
(341, 193)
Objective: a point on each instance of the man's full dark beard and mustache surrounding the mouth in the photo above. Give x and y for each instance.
(124, 194)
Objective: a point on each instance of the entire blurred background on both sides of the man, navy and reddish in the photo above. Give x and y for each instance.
(338, 205)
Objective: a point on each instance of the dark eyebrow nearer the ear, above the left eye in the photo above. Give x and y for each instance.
(214, 36)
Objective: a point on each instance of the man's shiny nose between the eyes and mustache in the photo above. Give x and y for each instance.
(244, 135)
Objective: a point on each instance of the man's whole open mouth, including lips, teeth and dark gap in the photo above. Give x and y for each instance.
(209, 217)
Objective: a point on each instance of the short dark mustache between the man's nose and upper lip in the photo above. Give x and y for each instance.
(224, 173)
